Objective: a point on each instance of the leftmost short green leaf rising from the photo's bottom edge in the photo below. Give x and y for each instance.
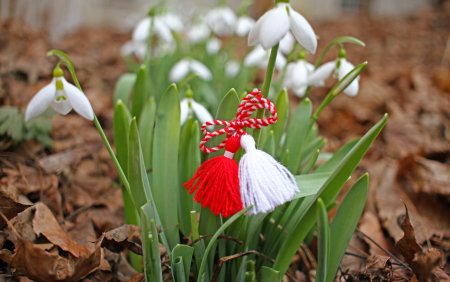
(150, 245)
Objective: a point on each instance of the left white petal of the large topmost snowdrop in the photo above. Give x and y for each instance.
(274, 25)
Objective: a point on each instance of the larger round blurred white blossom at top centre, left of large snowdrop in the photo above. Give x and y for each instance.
(221, 21)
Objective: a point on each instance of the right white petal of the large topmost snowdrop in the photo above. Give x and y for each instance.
(302, 31)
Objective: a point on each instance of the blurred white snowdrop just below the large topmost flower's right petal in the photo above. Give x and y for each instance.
(296, 77)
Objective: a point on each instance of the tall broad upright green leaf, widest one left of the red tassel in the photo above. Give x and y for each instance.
(166, 140)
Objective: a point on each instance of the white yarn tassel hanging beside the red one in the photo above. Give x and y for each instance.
(264, 182)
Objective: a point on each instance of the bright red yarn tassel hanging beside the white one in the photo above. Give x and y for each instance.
(216, 182)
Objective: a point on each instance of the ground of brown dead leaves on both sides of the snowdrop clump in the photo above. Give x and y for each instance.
(404, 233)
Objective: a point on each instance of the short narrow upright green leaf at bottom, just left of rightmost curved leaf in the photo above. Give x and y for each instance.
(323, 241)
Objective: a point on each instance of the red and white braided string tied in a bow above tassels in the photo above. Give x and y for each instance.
(252, 102)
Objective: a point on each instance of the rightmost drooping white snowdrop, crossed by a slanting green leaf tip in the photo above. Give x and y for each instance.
(341, 67)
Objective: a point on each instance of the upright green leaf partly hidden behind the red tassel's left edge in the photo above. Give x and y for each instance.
(190, 159)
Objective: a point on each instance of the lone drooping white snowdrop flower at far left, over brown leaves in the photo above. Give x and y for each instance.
(62, 96)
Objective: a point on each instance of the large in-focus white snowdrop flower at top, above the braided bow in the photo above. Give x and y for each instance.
(277, 22)
